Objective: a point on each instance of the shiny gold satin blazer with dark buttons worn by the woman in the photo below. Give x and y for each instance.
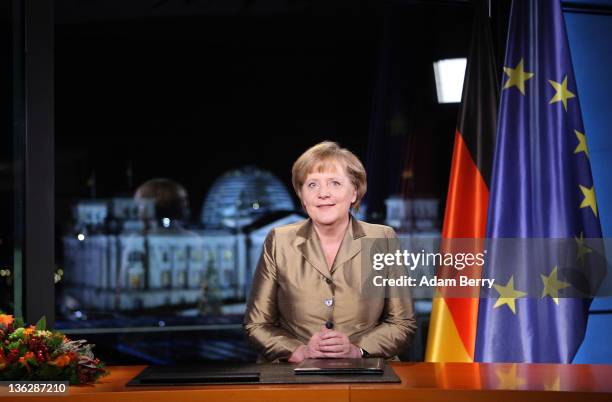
(294, 293)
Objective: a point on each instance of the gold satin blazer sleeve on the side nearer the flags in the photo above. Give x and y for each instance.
(397, 323)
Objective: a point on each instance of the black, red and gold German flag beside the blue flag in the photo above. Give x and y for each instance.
(452, 332)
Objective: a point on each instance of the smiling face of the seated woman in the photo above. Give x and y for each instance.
(327, 196)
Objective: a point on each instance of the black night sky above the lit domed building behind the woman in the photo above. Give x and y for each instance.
(190, 97)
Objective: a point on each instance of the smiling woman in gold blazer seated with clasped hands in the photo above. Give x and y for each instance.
(307, 299)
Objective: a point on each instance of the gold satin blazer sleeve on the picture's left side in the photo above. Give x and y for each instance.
(261, 318)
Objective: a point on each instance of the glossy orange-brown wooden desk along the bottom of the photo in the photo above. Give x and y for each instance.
(493, 382)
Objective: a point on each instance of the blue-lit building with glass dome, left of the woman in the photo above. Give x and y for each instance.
(136, 262)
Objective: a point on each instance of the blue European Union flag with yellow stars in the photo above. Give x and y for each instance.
(541, 188)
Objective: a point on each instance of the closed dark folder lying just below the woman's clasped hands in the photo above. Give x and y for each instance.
(341, 366)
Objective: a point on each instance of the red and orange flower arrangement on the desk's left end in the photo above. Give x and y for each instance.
(34, 353)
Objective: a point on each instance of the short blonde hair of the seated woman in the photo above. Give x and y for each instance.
(320, 158)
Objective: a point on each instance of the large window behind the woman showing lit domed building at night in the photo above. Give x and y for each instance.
(184, 127)
